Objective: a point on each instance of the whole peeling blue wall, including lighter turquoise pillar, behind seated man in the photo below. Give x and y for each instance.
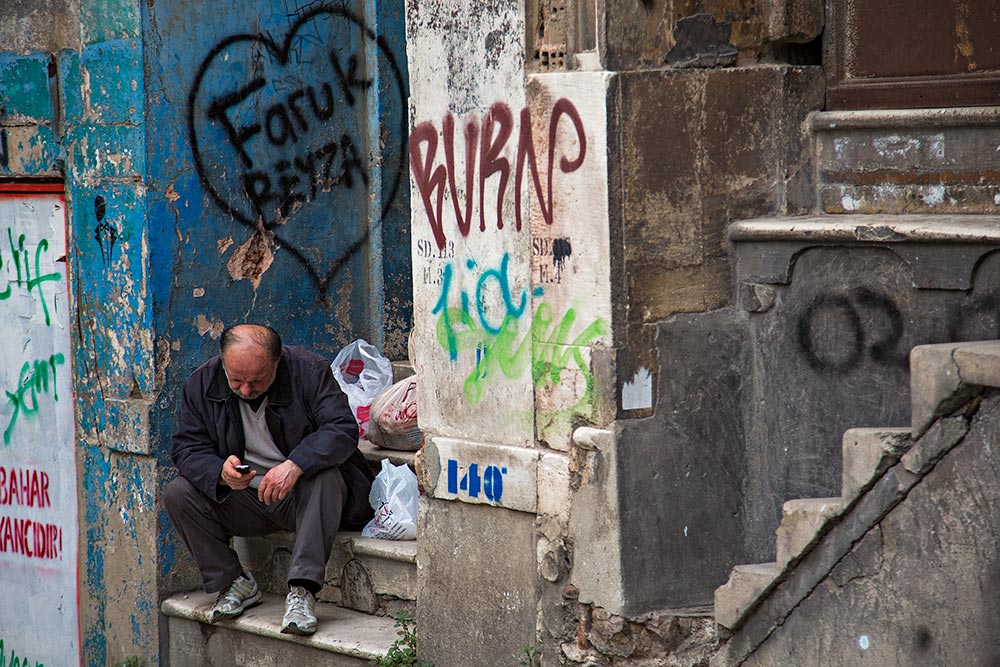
(222, 162)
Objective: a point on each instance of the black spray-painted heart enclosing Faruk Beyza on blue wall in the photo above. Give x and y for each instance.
(285, 134)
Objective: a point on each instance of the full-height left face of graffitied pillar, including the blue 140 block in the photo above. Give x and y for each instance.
(472, 286)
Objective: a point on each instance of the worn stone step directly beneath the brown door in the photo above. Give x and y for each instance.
(907, 161)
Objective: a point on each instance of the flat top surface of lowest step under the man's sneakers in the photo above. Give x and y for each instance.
(339, 630)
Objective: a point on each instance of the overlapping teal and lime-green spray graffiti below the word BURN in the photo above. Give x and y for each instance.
(545, 349)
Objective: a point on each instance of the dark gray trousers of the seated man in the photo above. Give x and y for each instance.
(312, 509)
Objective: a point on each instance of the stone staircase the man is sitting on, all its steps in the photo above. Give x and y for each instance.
(367, 582)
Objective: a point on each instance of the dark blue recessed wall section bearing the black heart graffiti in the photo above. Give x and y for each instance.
(278, 187)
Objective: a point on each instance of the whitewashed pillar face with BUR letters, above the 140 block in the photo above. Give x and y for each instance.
(470, 246)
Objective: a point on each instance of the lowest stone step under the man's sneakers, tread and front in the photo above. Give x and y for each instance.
(343, 638)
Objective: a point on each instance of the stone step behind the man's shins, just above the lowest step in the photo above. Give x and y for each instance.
(365, 574)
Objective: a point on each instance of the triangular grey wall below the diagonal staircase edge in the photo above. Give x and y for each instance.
(921, 586)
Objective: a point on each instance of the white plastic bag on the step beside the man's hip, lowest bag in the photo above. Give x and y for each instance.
(394, 499)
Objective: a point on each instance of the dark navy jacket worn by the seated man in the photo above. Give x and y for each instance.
(307, 414)
